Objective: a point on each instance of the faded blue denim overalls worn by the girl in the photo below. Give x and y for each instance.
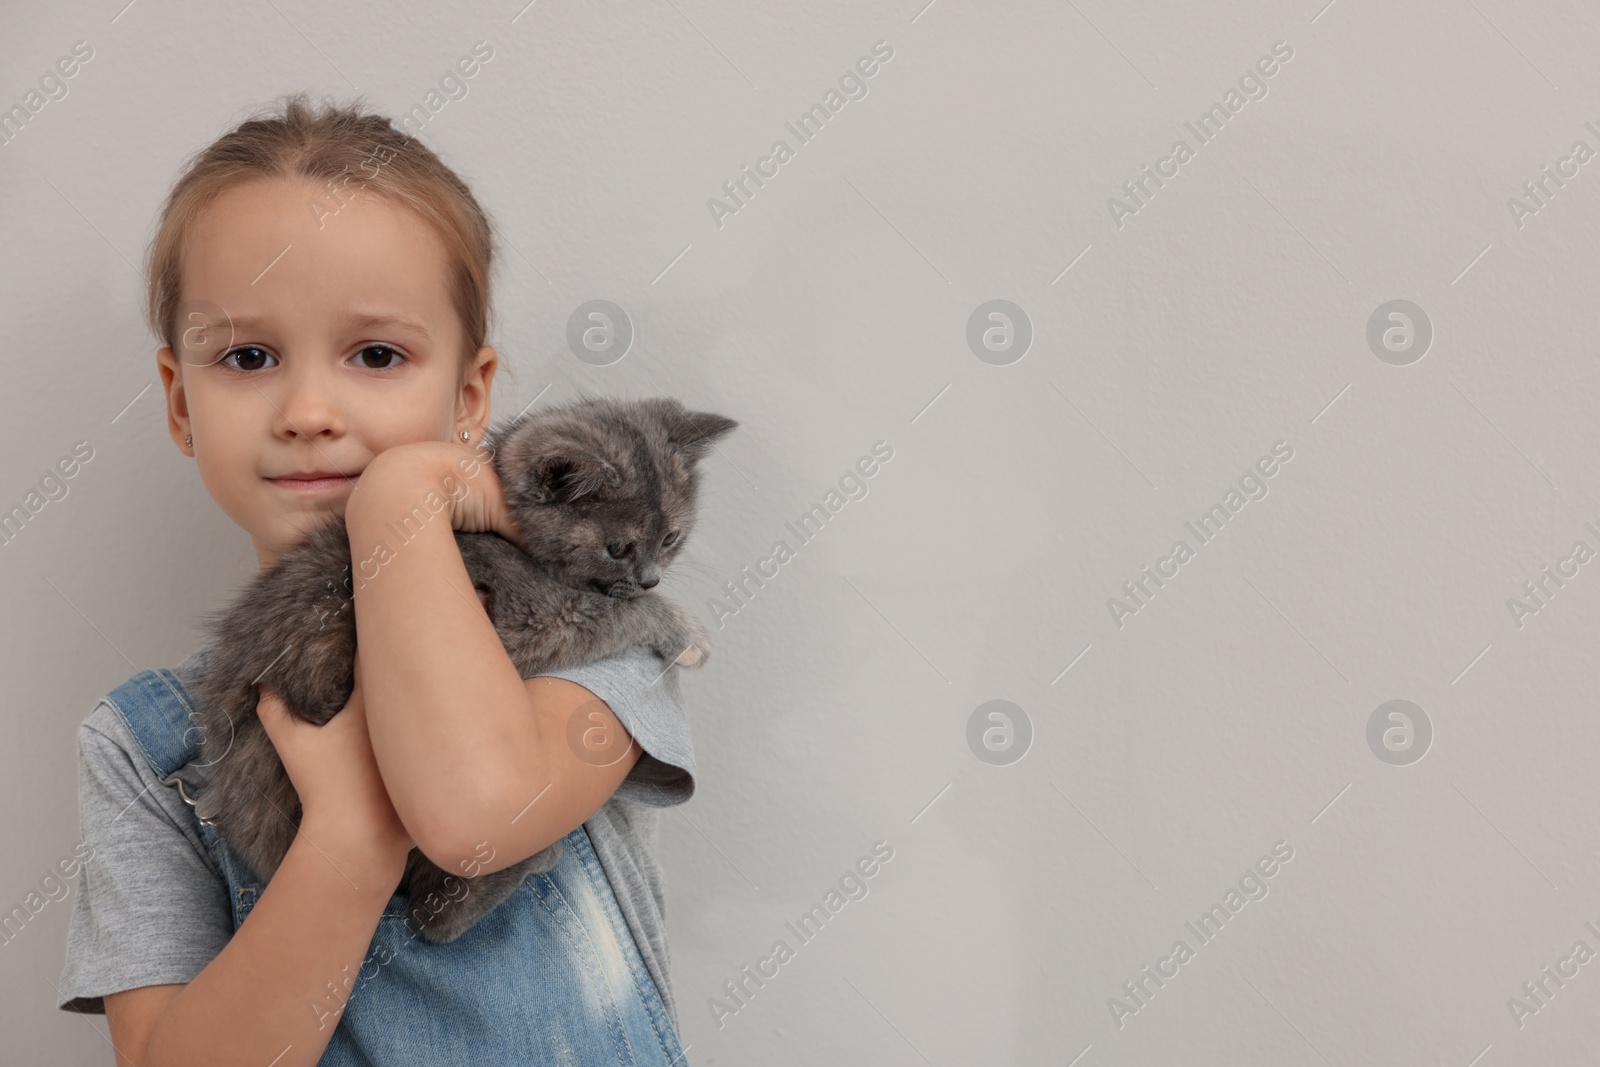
(551, 977)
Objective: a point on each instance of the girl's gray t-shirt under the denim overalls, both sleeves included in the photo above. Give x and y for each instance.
(153, 908)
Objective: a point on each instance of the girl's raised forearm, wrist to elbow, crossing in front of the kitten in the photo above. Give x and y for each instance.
(449, 714)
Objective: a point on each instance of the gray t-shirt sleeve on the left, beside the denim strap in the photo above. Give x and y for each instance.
(150, 909)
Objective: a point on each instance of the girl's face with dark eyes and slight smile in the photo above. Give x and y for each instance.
(327, 338)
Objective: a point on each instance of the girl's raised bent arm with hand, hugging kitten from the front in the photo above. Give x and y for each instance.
(476, 759)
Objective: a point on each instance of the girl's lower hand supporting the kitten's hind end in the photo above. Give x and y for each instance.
(343, 797)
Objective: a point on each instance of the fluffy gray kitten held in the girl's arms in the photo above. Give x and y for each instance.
(604, 494)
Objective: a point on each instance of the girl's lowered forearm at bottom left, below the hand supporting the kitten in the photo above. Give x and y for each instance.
(278, 991)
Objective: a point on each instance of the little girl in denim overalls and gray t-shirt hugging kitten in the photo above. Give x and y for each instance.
(321, 282)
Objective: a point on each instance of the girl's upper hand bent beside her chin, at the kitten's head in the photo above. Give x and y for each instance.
(462, 474)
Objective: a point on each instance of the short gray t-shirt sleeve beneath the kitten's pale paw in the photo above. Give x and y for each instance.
(644, 693)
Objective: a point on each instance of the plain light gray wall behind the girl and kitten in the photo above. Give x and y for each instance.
(831, 313)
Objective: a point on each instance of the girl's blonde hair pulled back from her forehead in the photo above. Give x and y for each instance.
(292, 140)
